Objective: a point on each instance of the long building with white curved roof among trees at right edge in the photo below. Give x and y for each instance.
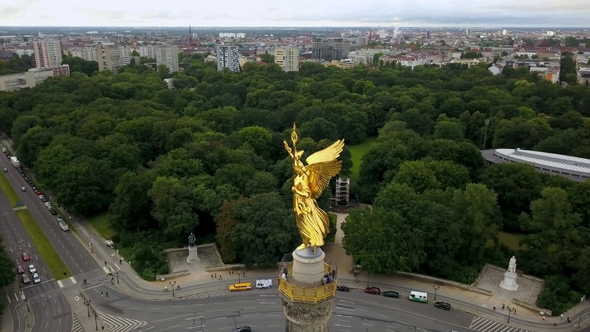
(574, 168)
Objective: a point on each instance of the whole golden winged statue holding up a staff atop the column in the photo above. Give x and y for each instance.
(308, 183)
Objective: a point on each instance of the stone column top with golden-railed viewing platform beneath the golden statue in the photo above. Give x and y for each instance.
(307, 302)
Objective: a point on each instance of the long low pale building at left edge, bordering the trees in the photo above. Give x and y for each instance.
(32, 77)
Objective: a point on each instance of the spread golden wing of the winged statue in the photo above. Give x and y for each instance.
(322, 166)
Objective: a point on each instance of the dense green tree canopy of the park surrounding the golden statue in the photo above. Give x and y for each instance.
(207, 157)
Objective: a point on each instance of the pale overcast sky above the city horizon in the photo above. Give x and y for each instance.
(296, 13)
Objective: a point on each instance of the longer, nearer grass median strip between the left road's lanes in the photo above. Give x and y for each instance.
(57, 267)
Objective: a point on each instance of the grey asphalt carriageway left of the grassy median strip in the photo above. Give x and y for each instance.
(51, 310)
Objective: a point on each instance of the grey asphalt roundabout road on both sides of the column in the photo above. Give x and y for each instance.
(262, 310)
